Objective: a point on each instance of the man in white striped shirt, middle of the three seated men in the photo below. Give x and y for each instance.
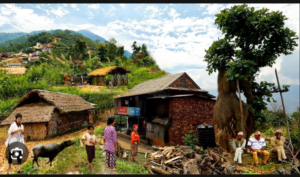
(257, 146)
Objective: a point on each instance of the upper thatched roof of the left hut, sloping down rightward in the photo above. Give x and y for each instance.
(65, 103)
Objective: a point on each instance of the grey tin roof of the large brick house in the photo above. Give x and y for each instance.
(163, 83)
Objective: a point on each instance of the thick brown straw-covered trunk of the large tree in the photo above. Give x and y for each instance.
(227, 115)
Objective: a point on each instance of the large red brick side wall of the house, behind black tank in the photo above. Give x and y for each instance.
(185, 114)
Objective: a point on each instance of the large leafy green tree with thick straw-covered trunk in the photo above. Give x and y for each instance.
(253, 39)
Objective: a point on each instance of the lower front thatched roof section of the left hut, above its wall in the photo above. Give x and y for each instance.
(31, 113)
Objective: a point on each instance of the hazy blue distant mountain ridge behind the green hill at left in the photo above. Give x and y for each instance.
(20, 37)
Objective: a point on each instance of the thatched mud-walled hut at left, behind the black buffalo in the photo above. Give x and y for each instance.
(47, 113)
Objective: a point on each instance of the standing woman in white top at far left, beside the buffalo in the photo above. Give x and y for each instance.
(15, 133)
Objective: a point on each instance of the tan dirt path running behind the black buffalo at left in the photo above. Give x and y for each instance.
(30, 145)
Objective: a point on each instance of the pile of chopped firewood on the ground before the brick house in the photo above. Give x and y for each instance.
(184, 160)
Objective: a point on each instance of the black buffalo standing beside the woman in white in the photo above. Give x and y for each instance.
(50, 151)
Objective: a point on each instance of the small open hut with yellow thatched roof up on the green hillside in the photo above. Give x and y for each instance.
(114, 74)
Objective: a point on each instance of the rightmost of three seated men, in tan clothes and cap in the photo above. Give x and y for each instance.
(277, 143)
